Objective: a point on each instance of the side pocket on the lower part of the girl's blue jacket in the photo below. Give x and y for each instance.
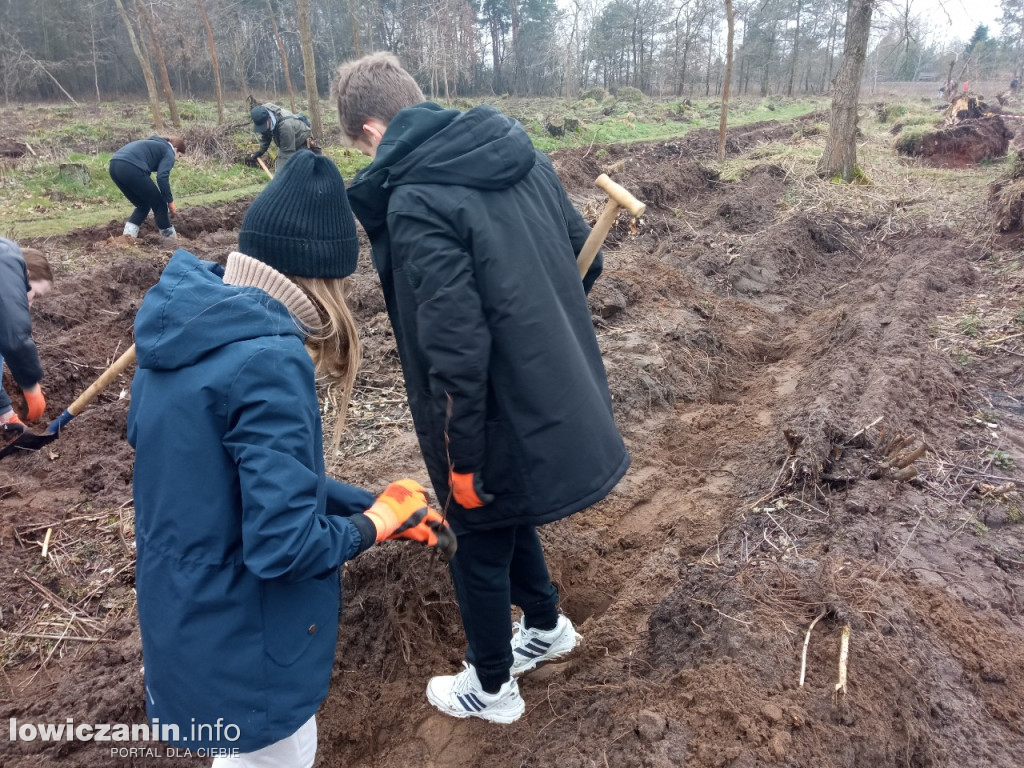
(295, 613)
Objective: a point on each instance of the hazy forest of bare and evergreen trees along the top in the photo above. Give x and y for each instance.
(96, 50)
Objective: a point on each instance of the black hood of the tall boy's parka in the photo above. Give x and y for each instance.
(429, 145)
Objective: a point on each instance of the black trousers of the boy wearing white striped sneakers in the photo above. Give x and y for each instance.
(492, 572)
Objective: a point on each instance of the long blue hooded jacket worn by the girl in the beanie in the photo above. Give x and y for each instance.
(239, 532)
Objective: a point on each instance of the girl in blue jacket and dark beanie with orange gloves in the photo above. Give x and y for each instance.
(240, 534)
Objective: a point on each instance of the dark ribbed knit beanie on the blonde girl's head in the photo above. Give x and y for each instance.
(302, 224)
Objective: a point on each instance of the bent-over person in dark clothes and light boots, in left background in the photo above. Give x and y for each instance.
(132, 168)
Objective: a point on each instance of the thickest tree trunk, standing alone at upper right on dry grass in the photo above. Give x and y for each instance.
(840, 157)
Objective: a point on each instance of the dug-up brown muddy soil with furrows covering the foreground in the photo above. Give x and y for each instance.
(806, 451)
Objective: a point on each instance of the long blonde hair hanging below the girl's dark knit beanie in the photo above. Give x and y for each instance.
(335, 348)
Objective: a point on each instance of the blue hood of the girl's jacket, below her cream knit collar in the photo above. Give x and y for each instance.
(191, 312)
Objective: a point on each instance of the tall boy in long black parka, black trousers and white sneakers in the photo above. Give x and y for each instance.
(476, 241)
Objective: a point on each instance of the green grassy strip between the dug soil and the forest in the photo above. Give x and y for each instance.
(36, 200)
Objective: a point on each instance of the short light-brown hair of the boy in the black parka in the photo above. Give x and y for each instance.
(374, 87)
